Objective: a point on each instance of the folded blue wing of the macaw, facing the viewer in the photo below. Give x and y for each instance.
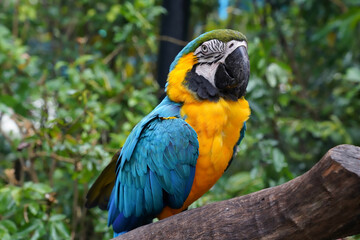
(156, 168)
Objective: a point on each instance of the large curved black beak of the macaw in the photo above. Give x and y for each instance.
(232, 77)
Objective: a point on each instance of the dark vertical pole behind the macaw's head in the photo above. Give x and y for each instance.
(173, 35)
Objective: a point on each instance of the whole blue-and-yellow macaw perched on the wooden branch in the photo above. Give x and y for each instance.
(178, 151)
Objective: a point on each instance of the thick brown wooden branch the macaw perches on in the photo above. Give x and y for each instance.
(323, 203)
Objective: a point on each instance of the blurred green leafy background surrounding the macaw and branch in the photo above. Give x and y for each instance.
(76, 76)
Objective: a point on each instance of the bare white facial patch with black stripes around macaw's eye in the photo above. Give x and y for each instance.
(211, 53)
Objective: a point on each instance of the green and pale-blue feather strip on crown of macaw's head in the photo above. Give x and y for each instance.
(224, 35)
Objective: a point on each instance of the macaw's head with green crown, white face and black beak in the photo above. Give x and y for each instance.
(214, 65)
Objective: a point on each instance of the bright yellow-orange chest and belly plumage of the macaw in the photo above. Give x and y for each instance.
(218, 126)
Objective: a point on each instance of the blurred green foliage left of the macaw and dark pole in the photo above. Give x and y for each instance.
(74, 91)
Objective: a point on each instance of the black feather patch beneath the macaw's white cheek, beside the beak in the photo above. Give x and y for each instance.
(201, 86)
